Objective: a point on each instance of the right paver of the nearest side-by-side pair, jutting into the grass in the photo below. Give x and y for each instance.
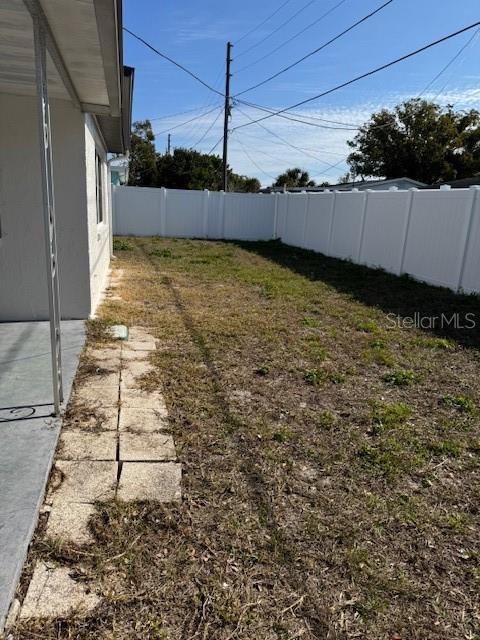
(159, 481)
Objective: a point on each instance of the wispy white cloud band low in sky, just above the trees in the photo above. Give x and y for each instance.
(255, 152)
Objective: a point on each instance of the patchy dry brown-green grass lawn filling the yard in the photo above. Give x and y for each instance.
(330, 461)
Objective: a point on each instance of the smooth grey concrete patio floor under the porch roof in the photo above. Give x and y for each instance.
(28, 434)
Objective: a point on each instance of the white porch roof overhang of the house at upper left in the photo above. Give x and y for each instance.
(85, 62)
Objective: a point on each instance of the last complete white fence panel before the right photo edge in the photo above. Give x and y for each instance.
(436, 238)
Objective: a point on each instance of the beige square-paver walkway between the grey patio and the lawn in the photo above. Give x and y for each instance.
(115, 446)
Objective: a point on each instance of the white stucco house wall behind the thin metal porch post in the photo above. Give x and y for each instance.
(83, 246)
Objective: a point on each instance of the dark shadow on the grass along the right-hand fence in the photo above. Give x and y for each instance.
(444, 313)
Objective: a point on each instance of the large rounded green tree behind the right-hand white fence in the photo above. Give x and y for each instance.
(418, 139)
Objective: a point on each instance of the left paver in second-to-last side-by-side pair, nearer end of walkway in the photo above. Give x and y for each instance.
(79, 445)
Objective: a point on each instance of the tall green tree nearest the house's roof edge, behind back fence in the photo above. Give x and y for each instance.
(142, 164)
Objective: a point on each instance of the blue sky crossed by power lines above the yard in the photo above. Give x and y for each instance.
(195, 34)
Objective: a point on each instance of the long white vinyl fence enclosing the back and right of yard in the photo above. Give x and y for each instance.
(432, 235)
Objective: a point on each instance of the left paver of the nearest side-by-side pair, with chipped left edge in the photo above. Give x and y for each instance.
(84, 481)
